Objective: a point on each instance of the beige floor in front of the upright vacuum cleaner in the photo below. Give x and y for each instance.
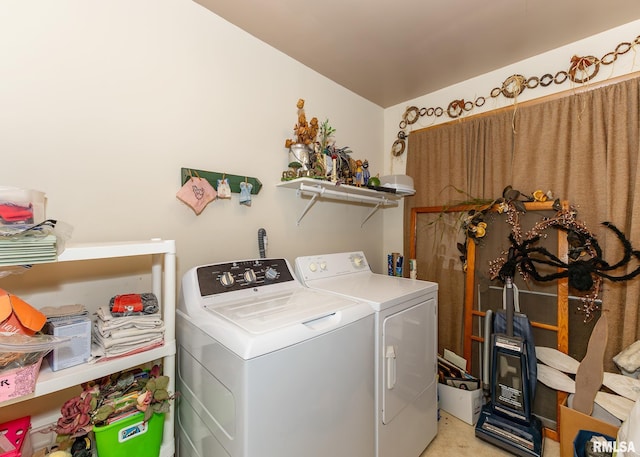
(457, 438)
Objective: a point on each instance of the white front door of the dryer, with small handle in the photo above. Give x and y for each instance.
(409, 357)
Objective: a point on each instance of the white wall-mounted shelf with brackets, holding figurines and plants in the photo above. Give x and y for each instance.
(317, 188)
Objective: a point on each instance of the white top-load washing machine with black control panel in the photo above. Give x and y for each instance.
(269, 368)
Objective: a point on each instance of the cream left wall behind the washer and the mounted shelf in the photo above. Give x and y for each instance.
(102, 103)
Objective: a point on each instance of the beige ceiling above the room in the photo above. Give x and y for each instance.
(390, 51)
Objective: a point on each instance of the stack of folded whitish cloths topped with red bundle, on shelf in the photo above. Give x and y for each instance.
(130, 324)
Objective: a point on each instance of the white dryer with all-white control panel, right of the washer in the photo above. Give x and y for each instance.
(406, 346)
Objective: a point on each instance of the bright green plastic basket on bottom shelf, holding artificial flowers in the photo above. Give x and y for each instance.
(131, 436)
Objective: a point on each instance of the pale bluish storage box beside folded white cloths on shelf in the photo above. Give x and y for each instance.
(78, 349)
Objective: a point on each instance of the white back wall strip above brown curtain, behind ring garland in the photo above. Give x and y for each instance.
(550, 62)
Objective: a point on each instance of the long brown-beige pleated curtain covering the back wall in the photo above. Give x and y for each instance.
(583, 147)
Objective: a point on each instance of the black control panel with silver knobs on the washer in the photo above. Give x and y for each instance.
(234, 276)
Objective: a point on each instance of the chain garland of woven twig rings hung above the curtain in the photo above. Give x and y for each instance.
(581, 70)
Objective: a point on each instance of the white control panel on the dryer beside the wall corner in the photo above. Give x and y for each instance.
(330, 265)
